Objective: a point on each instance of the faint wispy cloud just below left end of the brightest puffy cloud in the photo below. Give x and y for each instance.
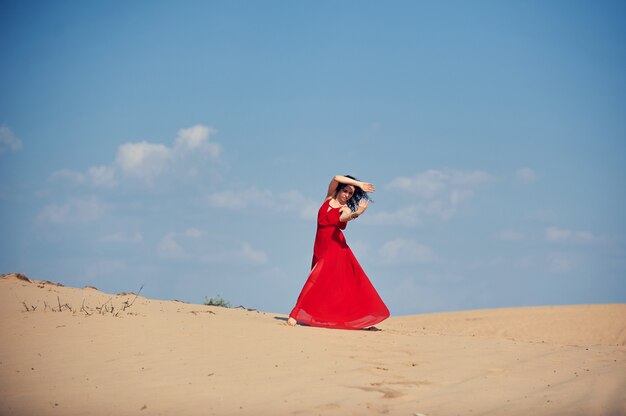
(74, 211)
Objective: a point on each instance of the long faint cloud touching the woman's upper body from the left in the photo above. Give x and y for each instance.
(289, 201)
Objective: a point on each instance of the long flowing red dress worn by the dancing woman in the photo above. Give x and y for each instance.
(337, 293)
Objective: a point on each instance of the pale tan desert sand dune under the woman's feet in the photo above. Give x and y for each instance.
(70, 351)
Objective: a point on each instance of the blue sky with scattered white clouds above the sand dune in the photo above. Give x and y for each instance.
(186, 146)
